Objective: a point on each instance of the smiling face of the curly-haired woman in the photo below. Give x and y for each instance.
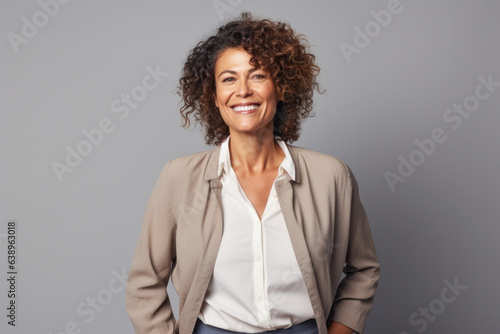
(245, 95)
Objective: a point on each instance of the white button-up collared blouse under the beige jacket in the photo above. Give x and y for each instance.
(256, 283)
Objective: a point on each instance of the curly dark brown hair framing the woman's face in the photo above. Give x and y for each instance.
(275, 47)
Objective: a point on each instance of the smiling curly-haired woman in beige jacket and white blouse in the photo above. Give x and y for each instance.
(255, 233)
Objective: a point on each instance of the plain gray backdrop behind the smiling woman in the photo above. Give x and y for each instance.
(440, 224)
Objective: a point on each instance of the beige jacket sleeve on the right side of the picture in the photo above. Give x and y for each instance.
(355, 292)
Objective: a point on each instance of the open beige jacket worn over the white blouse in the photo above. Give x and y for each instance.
(182, 230)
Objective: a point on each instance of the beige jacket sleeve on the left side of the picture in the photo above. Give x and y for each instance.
(147, 302)
